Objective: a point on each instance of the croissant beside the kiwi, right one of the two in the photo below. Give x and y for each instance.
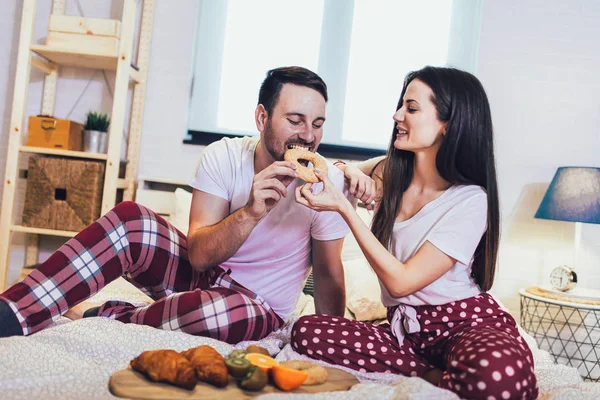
(209, 365)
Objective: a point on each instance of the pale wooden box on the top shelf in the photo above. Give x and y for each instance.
(95, 35)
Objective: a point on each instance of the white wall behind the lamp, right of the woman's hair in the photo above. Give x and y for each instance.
(539, 63)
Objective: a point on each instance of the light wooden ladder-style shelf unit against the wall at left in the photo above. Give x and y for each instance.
(50, 60)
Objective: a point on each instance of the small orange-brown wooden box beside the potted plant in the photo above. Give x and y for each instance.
(55, 133)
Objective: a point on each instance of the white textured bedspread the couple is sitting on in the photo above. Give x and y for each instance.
(74, 360)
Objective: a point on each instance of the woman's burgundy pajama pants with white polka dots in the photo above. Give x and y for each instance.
(473, 341)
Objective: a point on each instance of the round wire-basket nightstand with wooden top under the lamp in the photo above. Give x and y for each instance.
(568, 330)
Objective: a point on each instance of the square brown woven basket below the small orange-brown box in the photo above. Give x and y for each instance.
(63, 194)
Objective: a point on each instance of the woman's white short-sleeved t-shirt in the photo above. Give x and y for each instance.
(454, 223)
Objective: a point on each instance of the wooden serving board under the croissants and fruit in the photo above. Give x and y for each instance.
(131, 384)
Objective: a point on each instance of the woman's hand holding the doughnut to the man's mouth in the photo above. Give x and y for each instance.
(330, 199)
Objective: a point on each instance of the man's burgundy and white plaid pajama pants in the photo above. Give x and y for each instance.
(134, 242)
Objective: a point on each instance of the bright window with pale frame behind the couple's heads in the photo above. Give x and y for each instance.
(362, 49)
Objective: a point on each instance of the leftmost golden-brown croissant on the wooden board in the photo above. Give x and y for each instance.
(166, 366)
